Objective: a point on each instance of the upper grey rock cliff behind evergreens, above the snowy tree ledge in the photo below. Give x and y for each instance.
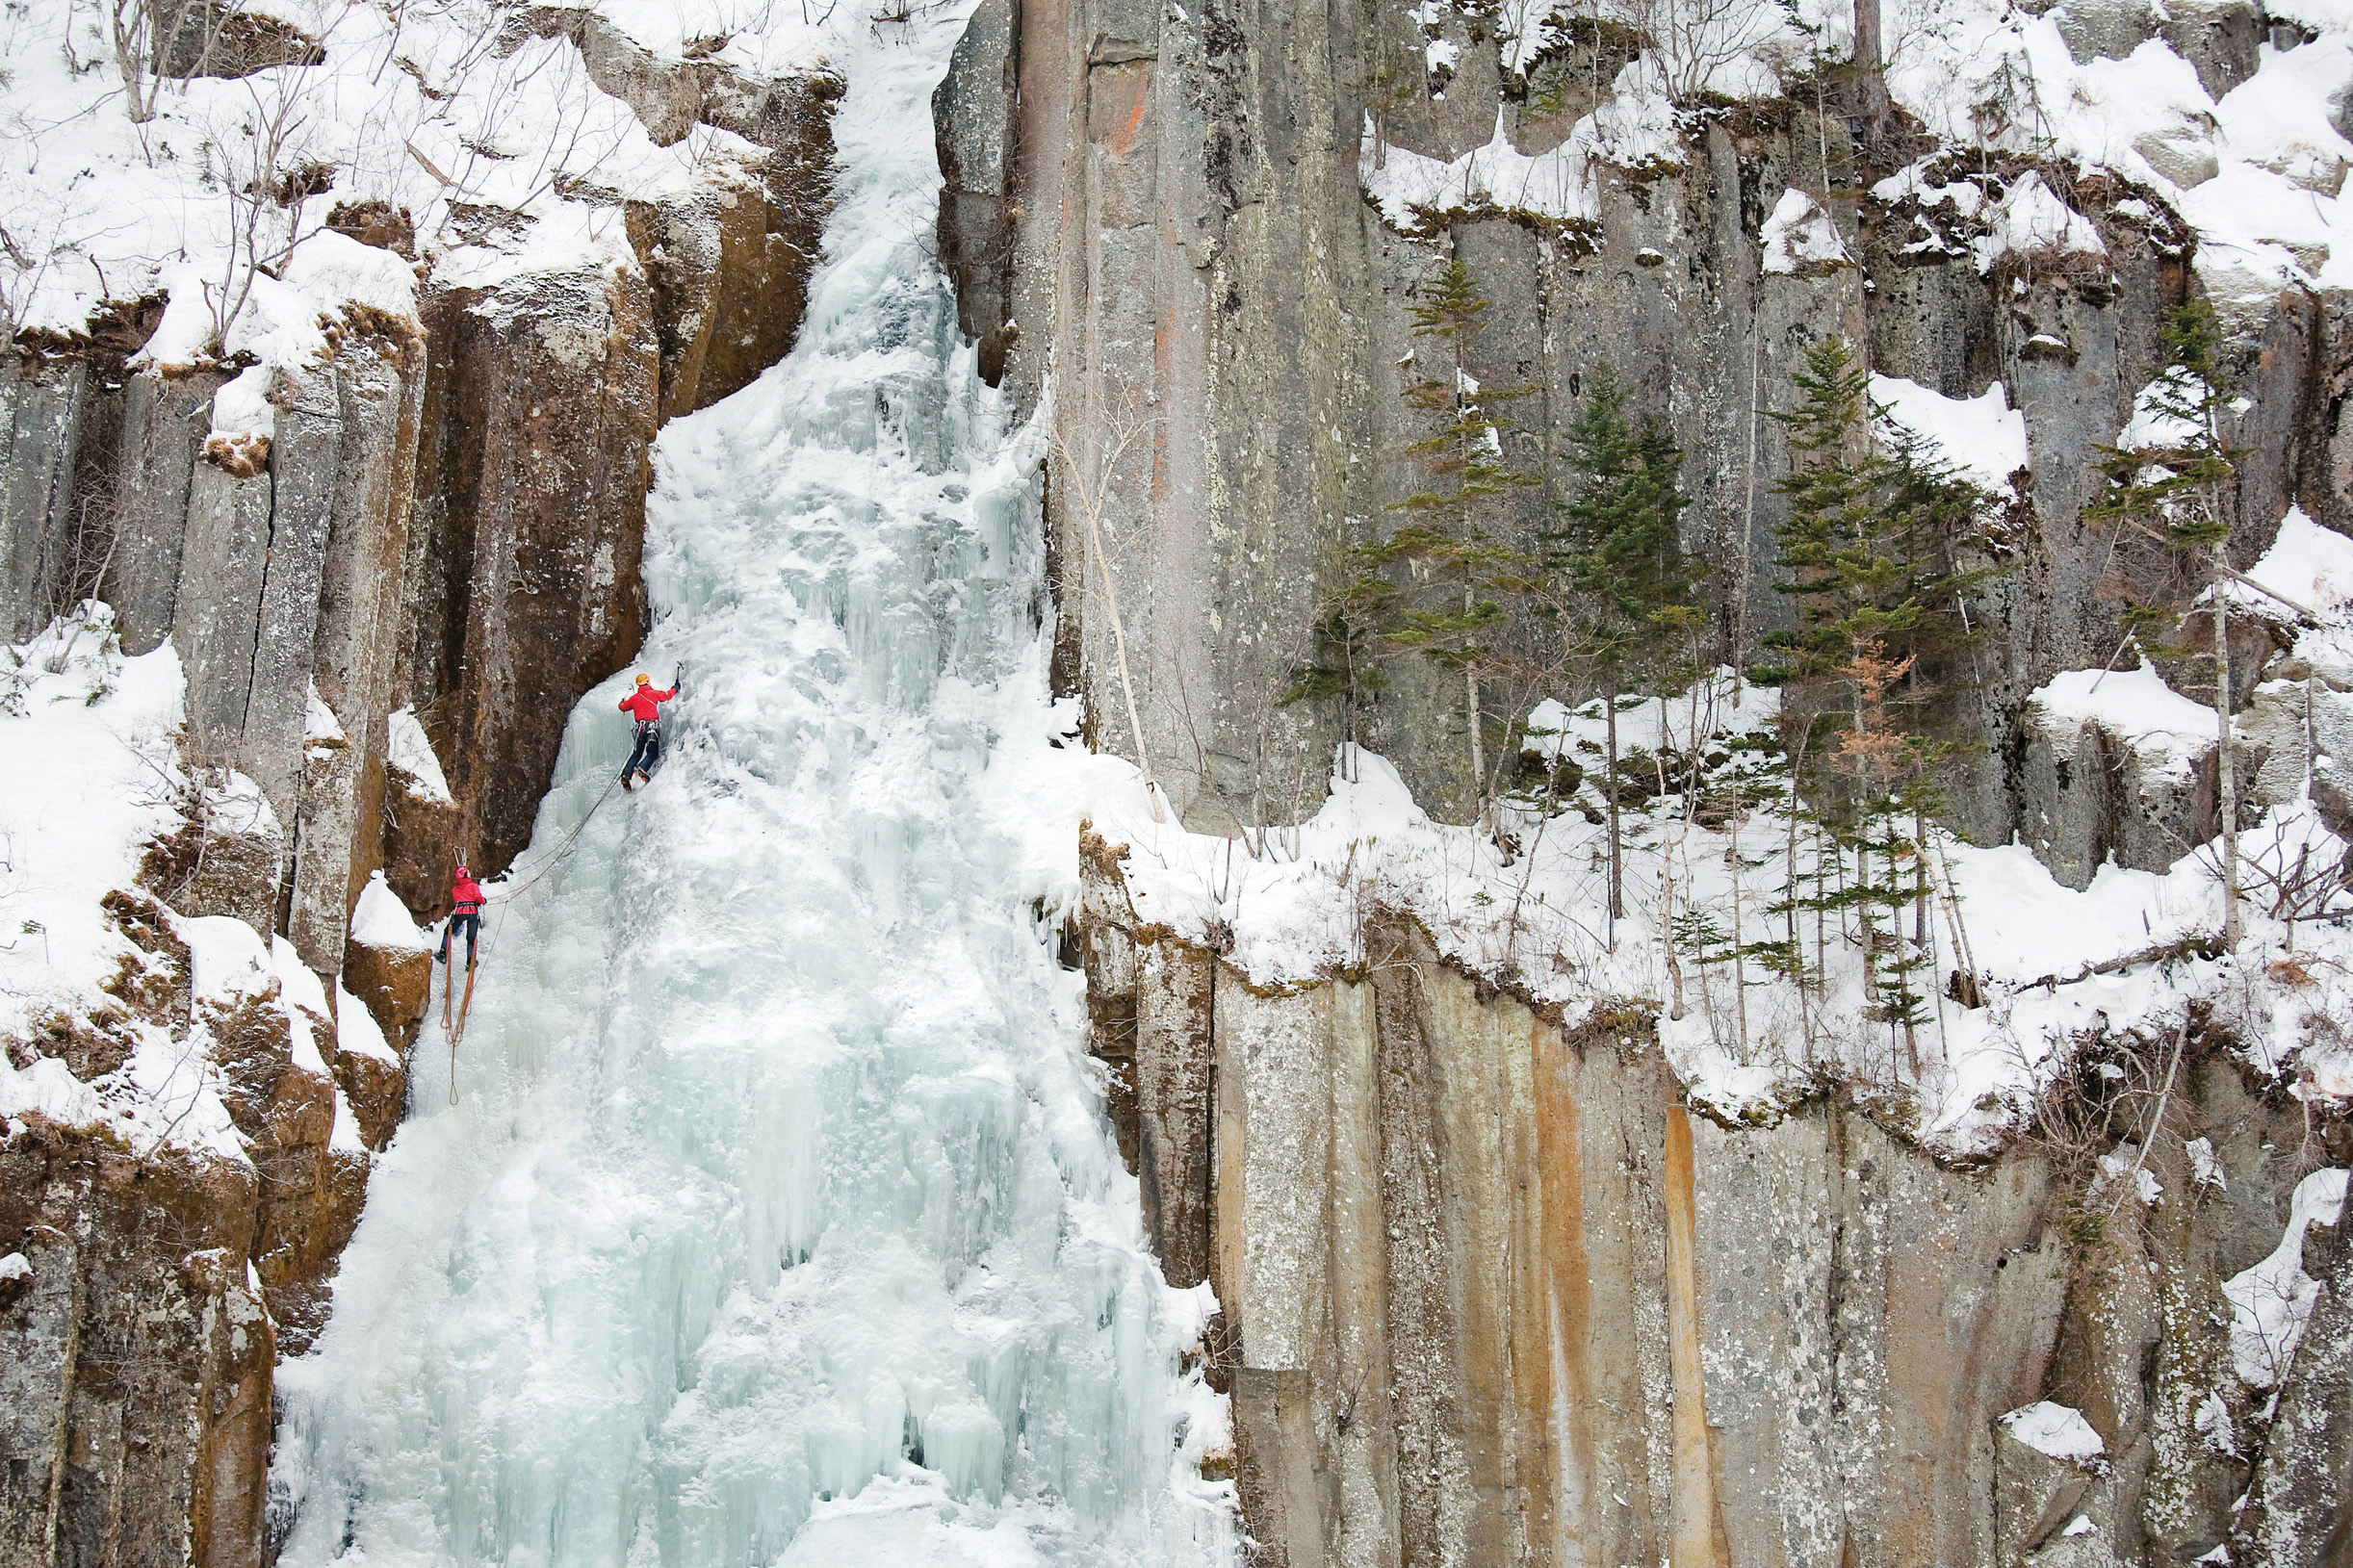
(1166, 217)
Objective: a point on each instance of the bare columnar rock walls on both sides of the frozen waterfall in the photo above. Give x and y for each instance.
(1491, 1289)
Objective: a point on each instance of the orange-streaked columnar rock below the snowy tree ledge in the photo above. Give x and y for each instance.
(1493, 1294)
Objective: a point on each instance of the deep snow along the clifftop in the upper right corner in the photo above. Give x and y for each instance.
(2260, 175)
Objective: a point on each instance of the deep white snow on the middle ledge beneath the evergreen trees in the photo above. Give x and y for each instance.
(1526, 906)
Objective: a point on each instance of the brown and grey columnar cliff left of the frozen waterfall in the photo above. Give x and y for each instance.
(446, 523)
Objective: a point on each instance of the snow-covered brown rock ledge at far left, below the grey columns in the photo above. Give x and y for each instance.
(187, 1113)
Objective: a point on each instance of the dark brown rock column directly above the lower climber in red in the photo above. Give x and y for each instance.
(540, 422)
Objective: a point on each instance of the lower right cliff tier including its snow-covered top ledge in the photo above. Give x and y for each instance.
(1401, 1104)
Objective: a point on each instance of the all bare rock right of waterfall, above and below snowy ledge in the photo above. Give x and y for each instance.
(1493, 1292)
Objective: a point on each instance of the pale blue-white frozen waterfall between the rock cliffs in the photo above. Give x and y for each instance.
(778, 1219)
